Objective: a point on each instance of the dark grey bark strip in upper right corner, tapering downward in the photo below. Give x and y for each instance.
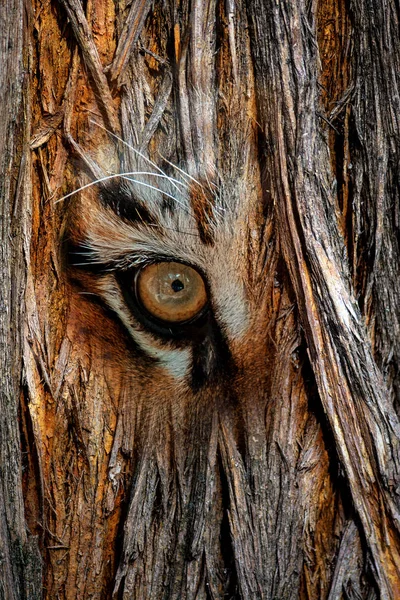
(374, 146)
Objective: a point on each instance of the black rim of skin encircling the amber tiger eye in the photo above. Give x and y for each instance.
(193, 327)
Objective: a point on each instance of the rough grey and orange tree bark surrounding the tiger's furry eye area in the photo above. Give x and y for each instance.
(292, 489)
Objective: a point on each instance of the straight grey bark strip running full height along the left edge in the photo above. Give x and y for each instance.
(20, 564)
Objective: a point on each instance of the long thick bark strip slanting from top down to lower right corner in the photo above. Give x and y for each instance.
(352, 390)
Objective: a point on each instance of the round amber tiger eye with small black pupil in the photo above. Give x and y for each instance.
(171, 291)
